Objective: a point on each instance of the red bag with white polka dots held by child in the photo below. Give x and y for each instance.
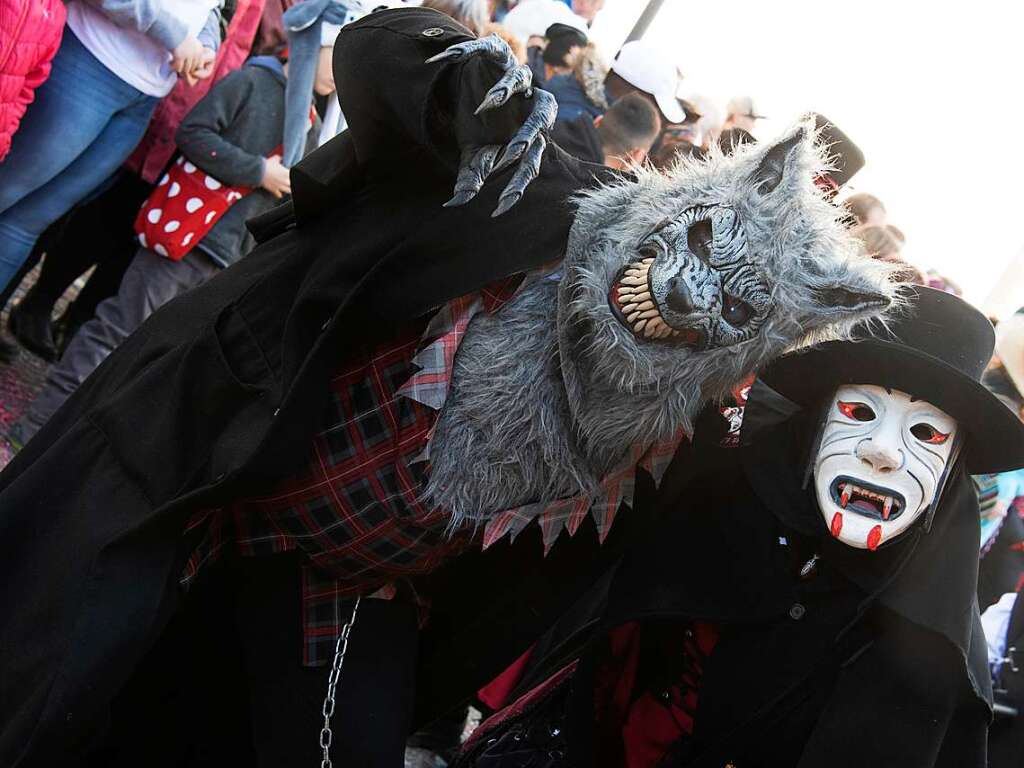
(183, 208)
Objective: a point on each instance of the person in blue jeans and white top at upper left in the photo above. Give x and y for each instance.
(116, 61)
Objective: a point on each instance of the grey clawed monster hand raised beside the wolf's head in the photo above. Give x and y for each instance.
(526, 148)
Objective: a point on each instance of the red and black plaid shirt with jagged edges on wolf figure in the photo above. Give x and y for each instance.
(355, 509)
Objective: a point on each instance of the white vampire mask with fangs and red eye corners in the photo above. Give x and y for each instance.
(880, 464)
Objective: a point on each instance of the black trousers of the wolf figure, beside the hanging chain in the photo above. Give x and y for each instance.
(225, 685)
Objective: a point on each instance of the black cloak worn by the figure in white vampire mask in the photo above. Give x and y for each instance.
(876, 659)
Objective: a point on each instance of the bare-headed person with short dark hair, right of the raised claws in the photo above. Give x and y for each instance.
(621, 139)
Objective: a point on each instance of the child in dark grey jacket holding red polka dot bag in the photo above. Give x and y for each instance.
(235, 136)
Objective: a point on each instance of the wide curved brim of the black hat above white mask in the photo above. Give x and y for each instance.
(996, 436)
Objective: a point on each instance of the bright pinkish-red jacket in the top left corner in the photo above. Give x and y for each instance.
(30, 36)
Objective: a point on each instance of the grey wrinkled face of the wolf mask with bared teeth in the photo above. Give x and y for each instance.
(693, 283)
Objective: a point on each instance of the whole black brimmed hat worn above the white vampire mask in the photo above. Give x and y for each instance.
(936, 348)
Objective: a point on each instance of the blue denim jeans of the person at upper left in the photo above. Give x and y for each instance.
(83, 124)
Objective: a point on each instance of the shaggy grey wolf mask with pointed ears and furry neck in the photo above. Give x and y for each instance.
(674, 288)
